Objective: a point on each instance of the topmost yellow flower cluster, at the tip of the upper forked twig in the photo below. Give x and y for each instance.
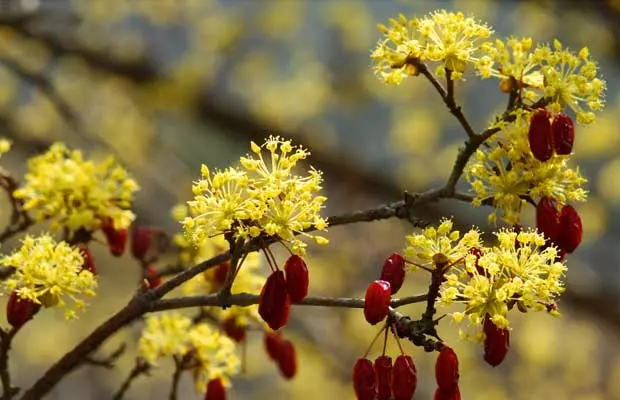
(450, 39)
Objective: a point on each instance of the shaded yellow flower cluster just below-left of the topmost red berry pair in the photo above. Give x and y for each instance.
(508, 173)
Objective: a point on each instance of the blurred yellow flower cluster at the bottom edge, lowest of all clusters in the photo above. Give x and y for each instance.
(173, 334)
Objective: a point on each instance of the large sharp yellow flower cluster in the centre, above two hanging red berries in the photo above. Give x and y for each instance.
(261, 197)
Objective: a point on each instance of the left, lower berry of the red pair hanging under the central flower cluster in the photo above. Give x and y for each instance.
(274, 304)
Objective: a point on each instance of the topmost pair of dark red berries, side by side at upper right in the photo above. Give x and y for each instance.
(546, 136)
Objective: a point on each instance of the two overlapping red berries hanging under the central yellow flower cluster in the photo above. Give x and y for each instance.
(280, 290)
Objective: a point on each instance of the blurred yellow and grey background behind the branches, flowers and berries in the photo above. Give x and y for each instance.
(166, 85)
